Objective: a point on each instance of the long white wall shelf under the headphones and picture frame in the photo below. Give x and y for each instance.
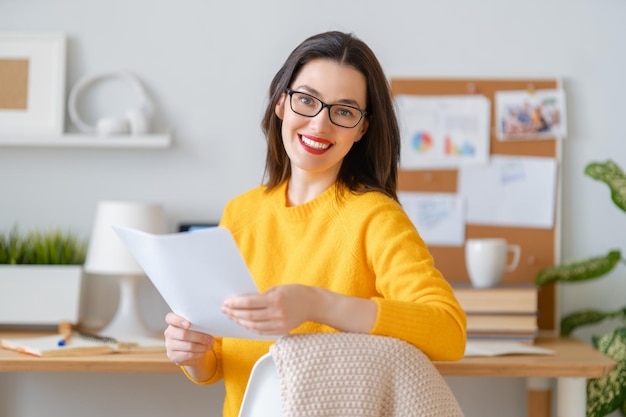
(73, 140)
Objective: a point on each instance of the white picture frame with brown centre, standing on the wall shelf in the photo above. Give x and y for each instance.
(44, 56)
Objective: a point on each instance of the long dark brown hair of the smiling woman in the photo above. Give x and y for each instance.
(372, 162)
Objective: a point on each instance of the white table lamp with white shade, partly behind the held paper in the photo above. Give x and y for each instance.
(108, 255)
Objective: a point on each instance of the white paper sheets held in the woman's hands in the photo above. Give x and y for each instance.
(194, 272)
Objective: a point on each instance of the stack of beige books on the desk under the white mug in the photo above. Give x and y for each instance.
(501, 313)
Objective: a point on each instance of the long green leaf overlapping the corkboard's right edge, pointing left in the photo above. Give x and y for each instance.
(580, 270)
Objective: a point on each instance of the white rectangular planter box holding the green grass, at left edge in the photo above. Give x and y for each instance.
(39, 294)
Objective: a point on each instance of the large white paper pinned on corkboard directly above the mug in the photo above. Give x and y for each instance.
(510, 191)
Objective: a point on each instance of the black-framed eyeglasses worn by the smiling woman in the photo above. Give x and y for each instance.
(340, 114)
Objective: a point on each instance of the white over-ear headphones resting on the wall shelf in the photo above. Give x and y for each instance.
(136, 121)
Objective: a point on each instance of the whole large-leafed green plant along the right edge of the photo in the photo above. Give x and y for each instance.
(608, 394)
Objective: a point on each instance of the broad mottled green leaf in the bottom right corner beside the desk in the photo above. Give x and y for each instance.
(607, 394)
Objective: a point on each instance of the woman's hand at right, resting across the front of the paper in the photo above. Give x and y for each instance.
(275, 312)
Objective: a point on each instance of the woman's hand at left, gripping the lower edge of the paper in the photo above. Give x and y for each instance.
(186, 347)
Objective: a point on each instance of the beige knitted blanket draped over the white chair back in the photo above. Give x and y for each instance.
(348, 374)
